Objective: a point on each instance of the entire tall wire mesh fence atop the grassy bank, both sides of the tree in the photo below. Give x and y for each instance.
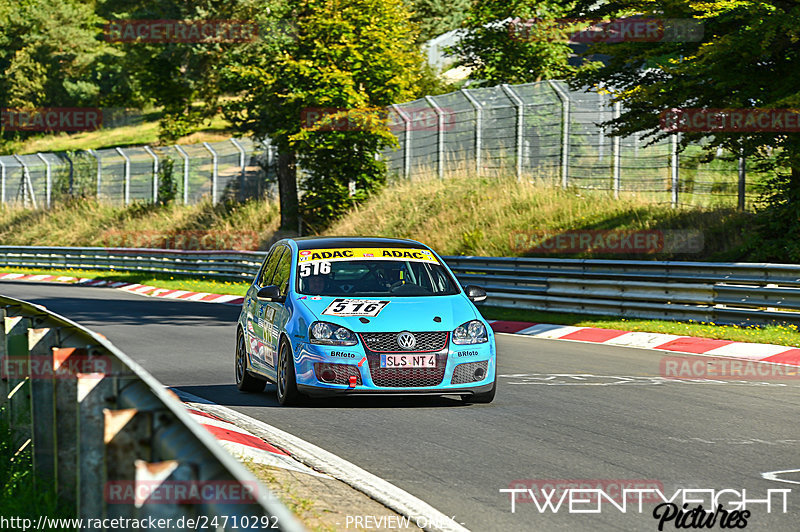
(539, 130)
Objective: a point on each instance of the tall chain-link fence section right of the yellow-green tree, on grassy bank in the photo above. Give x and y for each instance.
(546, 131)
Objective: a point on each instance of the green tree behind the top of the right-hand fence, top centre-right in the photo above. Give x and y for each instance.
(497, 44)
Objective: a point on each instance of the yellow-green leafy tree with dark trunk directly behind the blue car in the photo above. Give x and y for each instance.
(351, 56)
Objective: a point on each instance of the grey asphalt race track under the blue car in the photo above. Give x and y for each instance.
(617, 424)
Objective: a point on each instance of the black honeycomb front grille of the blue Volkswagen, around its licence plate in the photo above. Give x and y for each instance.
(427, 342)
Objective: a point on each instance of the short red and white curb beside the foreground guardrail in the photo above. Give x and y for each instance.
(243, 444)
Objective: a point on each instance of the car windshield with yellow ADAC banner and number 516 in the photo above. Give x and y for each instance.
(372, 272)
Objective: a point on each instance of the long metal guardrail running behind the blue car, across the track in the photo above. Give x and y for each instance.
(673, 290)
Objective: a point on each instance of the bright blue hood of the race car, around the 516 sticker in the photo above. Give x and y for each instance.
(406, 313)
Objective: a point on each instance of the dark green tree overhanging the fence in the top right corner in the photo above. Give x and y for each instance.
(747, 58)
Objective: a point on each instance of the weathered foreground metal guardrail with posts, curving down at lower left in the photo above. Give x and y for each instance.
(111, 438)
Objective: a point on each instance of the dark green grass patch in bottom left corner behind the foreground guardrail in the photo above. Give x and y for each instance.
(22, 495)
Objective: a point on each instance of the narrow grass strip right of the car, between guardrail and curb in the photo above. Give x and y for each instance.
(771, 334)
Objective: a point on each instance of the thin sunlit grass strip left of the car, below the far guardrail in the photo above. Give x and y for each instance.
(173, 282)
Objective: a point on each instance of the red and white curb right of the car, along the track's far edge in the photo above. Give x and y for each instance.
(779, 354)
